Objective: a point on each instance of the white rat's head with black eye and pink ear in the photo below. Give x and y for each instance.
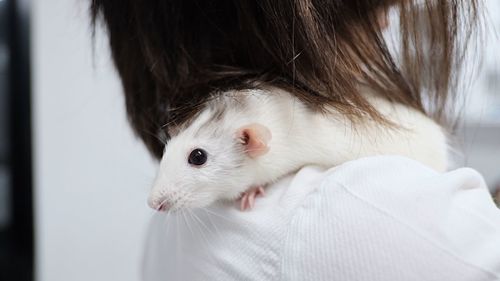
(207, 161)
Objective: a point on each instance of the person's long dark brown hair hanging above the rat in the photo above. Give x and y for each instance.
(172, 55)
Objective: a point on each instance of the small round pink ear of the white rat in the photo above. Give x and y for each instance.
(255, 137)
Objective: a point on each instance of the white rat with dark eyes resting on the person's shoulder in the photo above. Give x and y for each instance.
(243, 140)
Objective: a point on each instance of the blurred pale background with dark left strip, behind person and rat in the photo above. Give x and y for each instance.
(74, 179)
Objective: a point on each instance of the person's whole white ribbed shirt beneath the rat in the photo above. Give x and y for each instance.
(376, 218)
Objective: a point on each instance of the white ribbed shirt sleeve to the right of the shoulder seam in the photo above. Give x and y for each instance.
(393, 212)
